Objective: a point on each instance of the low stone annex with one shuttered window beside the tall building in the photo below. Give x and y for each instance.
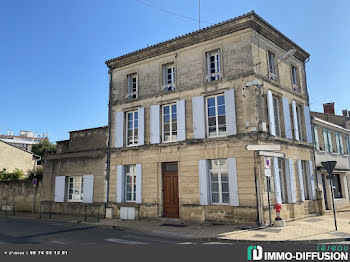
(75, 174)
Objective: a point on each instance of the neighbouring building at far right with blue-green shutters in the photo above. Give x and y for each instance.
(332, 144)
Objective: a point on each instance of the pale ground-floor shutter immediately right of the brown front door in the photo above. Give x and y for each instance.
(203, 172)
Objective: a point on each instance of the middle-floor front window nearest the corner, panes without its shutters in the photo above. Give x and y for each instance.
(216, 118)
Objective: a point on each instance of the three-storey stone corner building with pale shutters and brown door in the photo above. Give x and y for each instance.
(183, 112)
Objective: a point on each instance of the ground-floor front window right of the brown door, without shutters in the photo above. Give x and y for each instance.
(219, 187)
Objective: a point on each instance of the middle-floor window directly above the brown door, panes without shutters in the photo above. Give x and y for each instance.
(169, 123)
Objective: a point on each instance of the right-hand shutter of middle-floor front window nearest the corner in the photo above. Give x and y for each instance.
(231, 128)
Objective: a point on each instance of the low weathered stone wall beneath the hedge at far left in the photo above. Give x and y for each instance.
(21, 192)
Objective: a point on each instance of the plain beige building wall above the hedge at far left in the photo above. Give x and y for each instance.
(12, 157)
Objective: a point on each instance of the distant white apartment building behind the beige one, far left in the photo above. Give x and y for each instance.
(25, 140)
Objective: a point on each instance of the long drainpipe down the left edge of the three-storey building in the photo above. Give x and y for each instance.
(109, 138)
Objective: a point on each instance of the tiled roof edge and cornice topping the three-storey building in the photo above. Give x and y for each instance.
(255, 22)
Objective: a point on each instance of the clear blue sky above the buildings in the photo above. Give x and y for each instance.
(53, 76)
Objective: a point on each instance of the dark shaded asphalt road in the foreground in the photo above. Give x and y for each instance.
(14, 230)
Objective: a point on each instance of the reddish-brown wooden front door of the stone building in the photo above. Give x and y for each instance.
(170, 190)
